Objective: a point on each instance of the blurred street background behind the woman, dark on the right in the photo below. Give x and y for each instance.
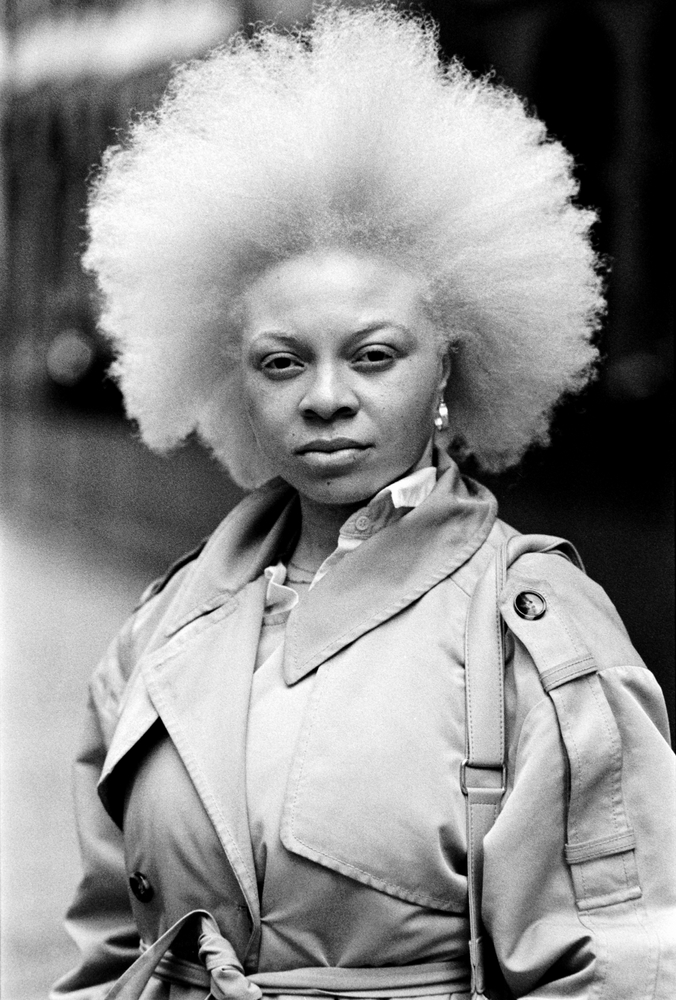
(88, 516)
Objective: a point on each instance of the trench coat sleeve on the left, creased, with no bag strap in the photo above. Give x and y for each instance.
(99, 920)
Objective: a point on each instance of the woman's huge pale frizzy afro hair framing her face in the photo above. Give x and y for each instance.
(350, 136)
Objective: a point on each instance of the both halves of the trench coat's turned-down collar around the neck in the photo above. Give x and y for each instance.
(384, 575)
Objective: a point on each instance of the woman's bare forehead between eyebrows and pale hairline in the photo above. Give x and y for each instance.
(339, 289)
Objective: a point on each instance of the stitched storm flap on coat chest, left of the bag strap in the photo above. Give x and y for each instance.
(374, 791)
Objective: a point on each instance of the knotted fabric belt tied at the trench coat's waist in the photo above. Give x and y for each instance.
(222, 973)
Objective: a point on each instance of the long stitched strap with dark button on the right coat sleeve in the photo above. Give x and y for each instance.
(600, 842)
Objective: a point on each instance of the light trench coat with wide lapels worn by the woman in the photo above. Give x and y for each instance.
(373, 792)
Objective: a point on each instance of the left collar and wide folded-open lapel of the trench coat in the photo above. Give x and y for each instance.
(196, 672)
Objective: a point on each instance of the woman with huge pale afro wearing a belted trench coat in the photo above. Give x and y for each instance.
(335, 261)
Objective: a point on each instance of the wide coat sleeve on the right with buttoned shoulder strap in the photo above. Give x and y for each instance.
(579, 891)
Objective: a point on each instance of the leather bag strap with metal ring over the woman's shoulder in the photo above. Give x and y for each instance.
(483, 772)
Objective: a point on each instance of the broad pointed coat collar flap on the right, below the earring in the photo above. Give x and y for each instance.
(389, 571)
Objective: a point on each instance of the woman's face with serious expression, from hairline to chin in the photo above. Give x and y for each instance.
(342, 373)
